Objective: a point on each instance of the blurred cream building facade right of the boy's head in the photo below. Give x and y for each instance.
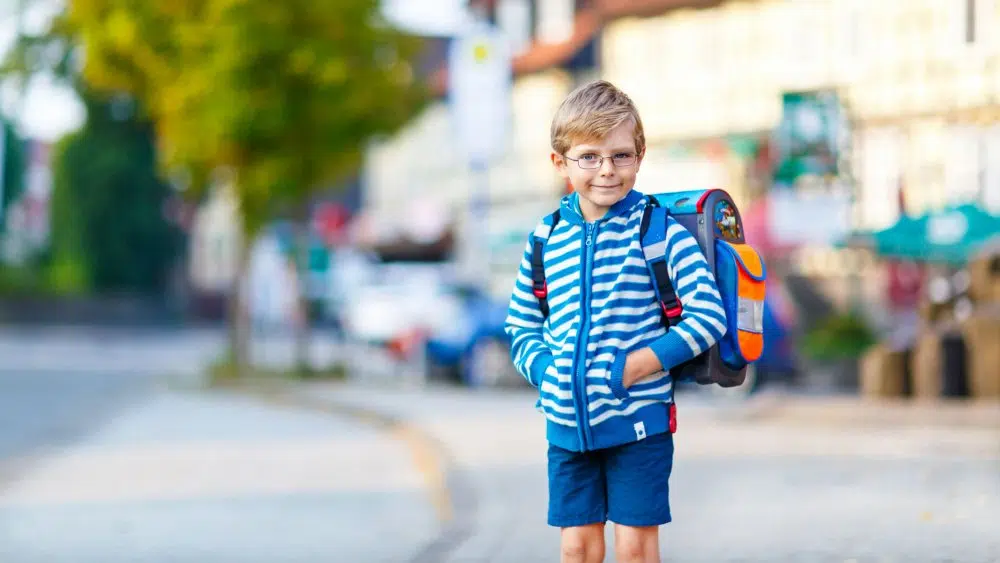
(918, 83)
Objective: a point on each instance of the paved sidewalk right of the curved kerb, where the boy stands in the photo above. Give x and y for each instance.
(775, 479)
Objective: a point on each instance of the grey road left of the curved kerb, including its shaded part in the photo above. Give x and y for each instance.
(101, 463)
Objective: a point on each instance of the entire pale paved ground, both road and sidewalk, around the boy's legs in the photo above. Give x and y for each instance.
(101, 461)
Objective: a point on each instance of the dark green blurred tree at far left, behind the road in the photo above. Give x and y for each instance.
(108, 206)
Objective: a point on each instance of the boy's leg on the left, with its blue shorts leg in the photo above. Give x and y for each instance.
(577, 504)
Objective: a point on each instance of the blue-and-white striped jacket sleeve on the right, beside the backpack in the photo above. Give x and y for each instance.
(703, 320)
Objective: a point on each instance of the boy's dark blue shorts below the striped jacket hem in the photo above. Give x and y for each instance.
(627, 484)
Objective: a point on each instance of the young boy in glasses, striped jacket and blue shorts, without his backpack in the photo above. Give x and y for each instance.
(601, 357)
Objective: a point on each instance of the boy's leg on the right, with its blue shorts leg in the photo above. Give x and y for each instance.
(638, 476)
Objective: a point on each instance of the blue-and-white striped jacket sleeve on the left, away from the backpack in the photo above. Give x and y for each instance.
(531, 355)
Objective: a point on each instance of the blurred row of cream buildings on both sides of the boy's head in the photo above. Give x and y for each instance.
(890, 96)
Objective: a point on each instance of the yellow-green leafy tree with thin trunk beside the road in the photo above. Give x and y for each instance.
(282, 96)
